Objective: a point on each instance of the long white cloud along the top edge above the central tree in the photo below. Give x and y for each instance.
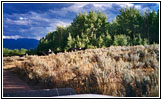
(85, 7)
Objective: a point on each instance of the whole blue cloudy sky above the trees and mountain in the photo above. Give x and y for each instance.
(35, 20)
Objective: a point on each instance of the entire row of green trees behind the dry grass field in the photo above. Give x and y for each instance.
(92, 30)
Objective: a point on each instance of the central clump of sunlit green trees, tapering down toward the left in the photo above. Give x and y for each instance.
(86, 31)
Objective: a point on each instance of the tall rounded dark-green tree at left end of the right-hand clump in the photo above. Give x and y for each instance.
(128, 21)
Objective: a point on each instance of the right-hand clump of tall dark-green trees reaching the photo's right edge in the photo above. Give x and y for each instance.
(133, 23)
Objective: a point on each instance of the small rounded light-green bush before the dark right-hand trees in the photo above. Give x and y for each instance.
(120, 40)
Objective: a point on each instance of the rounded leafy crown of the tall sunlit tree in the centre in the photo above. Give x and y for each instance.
(92, 23)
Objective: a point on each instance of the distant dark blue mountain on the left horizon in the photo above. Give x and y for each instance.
(20, 43)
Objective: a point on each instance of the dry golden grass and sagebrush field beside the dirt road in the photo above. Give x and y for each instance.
(116, 71)
